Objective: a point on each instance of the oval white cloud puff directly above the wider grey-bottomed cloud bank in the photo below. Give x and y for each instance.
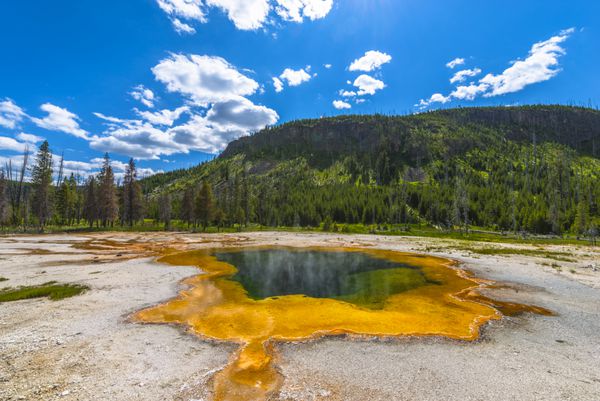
(203, 79)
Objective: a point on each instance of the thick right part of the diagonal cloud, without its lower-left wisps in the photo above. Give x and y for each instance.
(540, 65)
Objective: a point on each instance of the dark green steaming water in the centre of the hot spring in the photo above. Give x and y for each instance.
(354, 277)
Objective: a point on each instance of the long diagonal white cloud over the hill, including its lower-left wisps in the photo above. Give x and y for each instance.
(540, 65)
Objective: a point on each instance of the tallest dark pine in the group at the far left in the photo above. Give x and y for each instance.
(41, 180)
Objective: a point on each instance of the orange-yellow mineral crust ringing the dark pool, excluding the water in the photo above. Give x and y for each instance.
(216, 307)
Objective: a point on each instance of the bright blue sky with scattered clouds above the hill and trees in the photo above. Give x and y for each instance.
(171, 82)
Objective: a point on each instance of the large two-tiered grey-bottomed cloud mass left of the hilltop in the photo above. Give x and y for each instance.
(210, 84)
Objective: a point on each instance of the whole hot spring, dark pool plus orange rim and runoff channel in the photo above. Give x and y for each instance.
(257, 297)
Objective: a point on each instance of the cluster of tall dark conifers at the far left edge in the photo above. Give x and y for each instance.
(31, 196)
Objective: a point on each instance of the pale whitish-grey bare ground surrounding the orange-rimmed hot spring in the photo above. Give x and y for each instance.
(85, 348)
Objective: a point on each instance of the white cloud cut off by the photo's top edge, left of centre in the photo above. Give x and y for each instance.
(245, 14)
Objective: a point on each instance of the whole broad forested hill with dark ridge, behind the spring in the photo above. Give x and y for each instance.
(532, 168)
